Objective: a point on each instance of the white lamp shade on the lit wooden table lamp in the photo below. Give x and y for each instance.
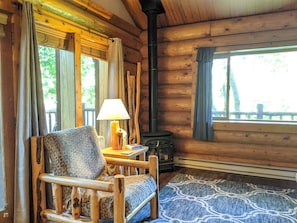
(113, 109)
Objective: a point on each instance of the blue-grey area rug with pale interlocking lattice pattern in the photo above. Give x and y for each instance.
(192, 199)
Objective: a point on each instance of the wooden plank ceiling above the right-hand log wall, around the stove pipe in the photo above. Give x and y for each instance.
(180, 12)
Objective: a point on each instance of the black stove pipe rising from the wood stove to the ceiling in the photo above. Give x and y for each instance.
(152, 8)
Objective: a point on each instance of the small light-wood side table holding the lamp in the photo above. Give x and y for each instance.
(126, 154)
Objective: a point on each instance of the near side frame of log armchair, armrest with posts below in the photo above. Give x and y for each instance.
(117, 187)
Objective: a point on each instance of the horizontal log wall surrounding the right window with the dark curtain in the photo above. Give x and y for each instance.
(249, 143)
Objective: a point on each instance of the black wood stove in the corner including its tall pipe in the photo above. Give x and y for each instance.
(159, 142)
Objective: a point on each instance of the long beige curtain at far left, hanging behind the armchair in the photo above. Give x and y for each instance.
(30, 113)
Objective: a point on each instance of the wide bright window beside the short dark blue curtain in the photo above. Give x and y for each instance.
(255, 85)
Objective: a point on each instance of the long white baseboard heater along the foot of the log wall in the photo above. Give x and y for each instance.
(238, 168)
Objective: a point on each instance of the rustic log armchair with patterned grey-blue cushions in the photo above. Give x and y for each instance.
(83, 190)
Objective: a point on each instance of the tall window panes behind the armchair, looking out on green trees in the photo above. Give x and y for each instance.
(58, 87)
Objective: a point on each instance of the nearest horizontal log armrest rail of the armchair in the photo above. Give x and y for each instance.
(77, 182)
